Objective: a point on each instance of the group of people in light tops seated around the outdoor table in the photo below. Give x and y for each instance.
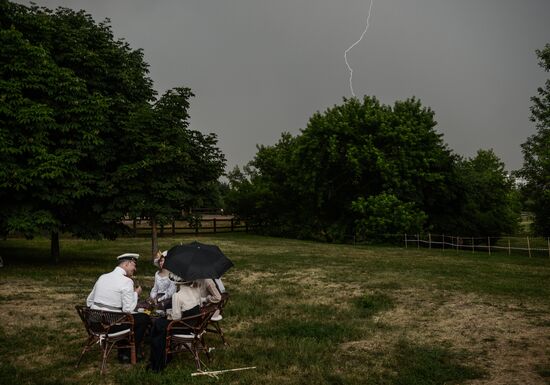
(115, 291)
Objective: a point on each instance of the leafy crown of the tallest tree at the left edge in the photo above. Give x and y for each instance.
(67, 88)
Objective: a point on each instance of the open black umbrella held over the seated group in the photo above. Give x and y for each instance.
(196, 260)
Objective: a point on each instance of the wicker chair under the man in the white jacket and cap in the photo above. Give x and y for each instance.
(109, 330)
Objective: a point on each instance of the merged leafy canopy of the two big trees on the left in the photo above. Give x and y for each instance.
(85, 142)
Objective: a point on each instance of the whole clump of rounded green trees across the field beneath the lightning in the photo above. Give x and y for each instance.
(366, 169)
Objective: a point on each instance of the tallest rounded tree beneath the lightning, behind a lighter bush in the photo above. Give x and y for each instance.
(363, 148)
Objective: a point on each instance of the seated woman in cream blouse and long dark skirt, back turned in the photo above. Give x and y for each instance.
(185, 303)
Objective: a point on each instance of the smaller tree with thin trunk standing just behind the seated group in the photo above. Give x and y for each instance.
(166, 166)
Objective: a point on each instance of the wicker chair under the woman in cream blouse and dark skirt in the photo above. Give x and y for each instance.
(187, 334)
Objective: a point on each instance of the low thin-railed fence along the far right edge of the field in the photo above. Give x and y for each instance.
(531, 246)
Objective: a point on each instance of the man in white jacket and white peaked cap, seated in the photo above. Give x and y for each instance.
(115, 291)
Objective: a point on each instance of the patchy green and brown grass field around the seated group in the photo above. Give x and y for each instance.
(300, 312)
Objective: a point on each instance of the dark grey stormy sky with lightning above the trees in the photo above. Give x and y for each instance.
(261, 67)
